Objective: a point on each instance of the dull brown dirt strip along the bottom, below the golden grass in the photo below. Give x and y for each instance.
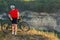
(25, 37)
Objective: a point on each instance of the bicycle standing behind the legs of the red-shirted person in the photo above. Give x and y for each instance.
(24, 26)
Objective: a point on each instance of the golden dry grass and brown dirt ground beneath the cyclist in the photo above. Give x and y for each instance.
(30, 35)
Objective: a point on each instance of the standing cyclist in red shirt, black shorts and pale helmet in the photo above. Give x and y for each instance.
(14, 16)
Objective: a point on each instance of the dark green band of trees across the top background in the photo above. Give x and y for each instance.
(37, 5)
